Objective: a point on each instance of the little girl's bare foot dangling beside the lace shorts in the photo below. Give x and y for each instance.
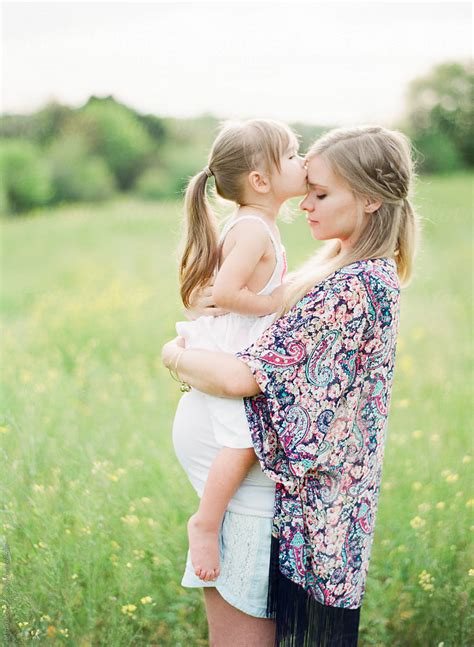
(204, 548)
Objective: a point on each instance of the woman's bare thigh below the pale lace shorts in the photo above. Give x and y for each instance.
(229, 627)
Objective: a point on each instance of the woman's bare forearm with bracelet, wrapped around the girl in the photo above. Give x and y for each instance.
(215, 373)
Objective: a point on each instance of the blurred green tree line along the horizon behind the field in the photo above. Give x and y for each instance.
(61, 154)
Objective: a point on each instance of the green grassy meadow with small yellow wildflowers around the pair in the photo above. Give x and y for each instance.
(93, 502)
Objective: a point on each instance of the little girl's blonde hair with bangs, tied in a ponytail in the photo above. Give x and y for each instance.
(240, 148)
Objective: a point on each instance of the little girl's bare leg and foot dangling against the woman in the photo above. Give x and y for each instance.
(226, 474)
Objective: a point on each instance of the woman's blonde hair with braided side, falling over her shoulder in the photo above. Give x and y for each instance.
(377, 163)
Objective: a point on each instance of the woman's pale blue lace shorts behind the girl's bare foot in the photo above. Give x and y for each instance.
(244, 542)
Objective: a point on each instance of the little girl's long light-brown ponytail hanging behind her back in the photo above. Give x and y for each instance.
(200, 256)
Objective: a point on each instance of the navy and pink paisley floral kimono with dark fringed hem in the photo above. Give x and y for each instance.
(325, 370)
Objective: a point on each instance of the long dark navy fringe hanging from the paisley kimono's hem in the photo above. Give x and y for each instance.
(302, 621)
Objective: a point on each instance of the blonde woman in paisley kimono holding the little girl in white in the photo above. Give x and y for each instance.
(321, 377)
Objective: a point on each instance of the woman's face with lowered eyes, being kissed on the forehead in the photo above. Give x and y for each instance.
(332, 211)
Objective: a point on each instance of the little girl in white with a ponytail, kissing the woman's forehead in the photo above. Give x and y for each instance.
(256, 165)
